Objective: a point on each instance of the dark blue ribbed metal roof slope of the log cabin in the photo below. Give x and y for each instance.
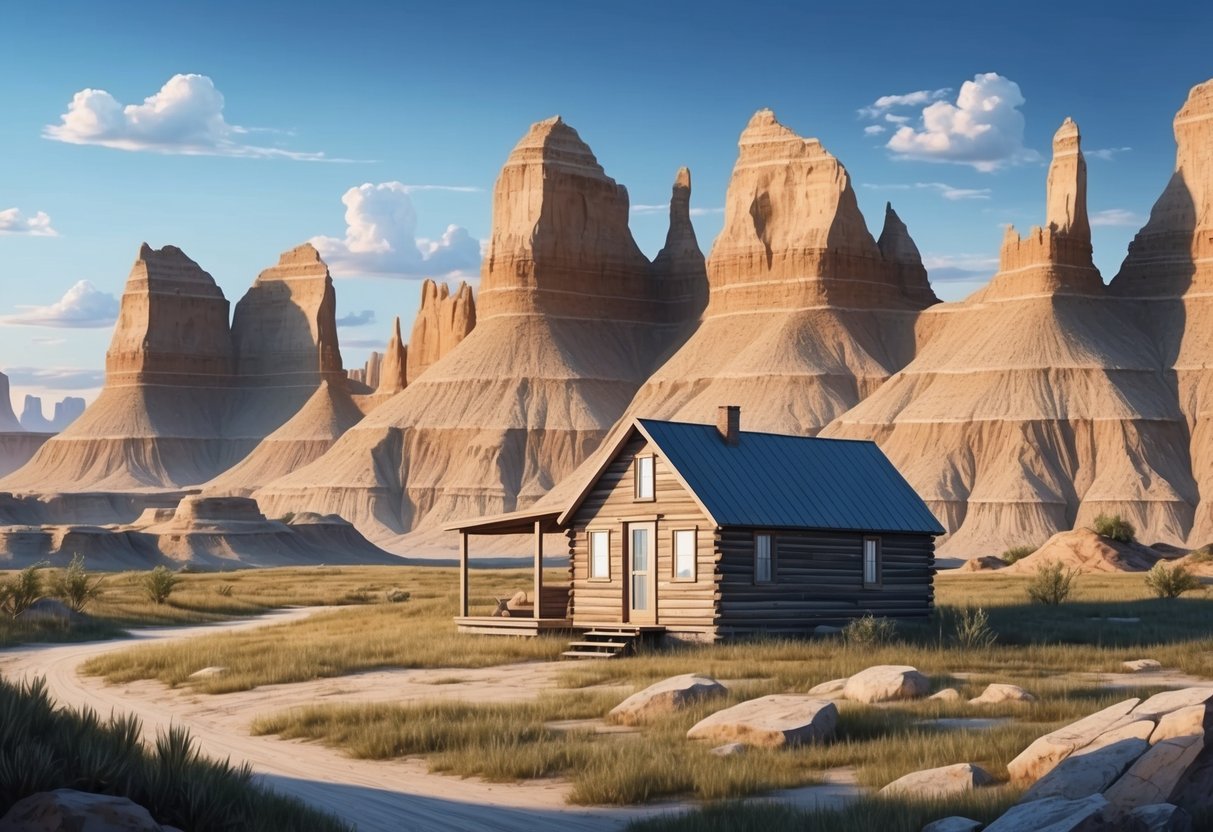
(779, 482)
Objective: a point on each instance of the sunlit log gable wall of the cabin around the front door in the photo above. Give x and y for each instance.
(681, 606)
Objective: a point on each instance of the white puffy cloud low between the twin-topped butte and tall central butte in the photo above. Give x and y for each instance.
(381, 238)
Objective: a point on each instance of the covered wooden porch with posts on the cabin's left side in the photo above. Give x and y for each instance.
(546, 608)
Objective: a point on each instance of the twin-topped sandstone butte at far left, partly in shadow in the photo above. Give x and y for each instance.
(186, 397)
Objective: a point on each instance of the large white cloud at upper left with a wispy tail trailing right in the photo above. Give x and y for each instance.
(186, 118)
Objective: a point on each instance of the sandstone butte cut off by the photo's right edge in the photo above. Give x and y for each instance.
(1169, 272)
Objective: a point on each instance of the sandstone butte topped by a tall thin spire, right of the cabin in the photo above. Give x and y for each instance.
(1037, 403)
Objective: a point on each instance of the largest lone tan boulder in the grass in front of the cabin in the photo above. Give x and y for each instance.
(771, 722)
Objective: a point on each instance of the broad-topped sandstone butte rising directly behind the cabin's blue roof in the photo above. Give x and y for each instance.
(807, 314)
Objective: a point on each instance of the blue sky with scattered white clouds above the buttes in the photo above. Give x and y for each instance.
(377, 130)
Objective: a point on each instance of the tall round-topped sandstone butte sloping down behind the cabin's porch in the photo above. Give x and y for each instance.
(572, 318)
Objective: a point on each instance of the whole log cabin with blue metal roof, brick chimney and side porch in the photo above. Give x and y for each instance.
(708, 532)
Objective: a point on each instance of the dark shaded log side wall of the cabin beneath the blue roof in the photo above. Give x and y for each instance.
(819, 579)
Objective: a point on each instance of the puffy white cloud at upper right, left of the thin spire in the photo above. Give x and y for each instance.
(983, 129)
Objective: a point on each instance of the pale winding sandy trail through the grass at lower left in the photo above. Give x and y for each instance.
(392, 795)
